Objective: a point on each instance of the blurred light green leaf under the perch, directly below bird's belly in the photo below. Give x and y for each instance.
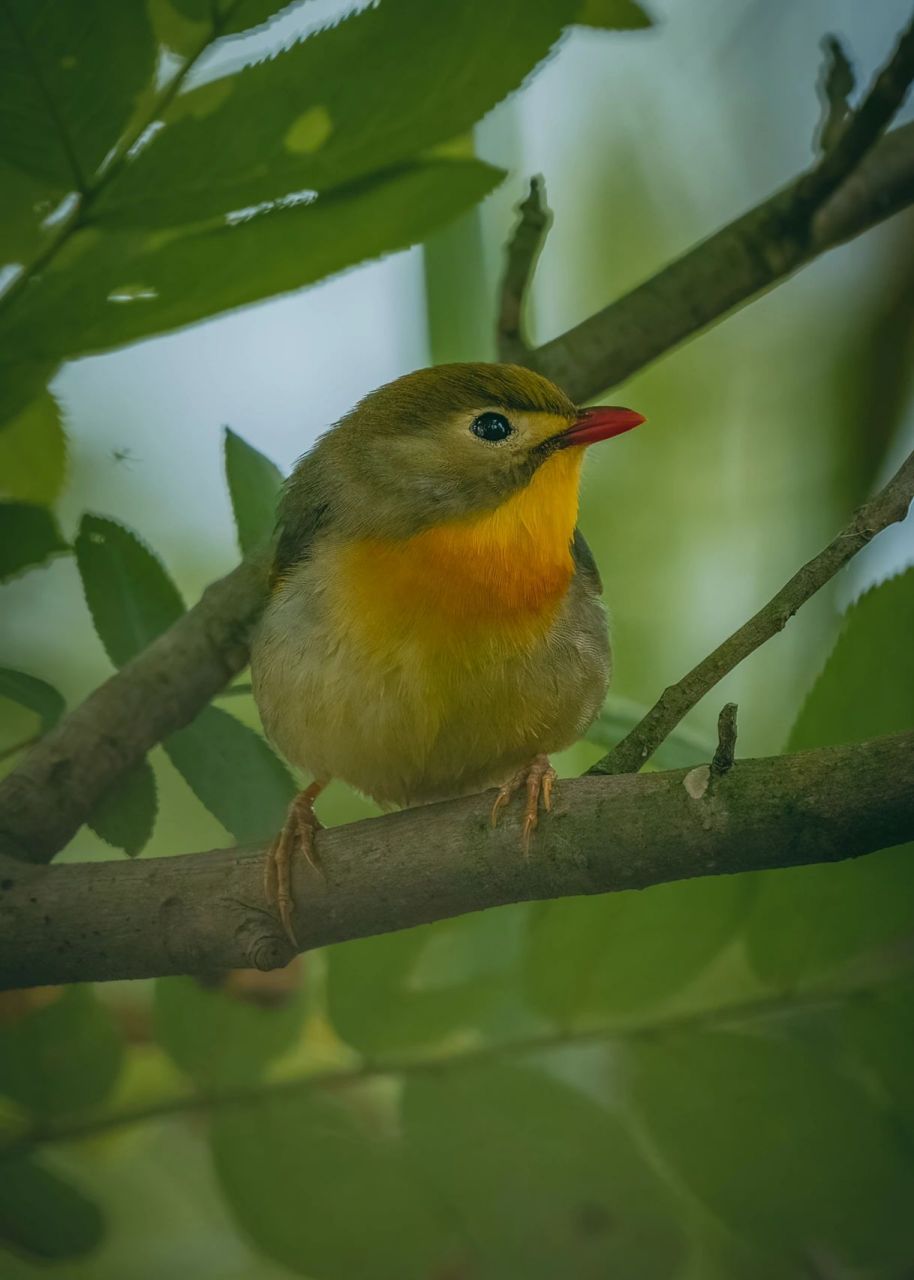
(419, 986)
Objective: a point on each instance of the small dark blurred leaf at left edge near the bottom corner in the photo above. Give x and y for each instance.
(44, 1217)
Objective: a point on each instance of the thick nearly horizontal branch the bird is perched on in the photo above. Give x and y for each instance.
(138, 920)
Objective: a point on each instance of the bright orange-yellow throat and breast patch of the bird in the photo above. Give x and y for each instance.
(506, 570)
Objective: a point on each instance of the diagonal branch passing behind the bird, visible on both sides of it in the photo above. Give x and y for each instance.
(45, 801)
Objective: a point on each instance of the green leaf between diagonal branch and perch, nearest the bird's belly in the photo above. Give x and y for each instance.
(235, 774)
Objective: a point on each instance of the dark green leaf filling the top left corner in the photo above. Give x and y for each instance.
(70, 79)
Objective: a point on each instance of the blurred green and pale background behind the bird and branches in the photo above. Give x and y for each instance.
(710, 1080)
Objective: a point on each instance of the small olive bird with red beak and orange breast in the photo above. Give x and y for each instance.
(435, 624)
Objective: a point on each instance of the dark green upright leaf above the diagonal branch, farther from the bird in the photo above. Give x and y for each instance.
(130, 596)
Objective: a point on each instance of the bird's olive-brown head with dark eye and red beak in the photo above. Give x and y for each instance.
(454, 442)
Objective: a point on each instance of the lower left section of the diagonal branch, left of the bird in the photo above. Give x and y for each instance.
(45, 802)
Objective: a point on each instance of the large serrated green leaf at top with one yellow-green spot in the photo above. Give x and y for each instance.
(303, 122)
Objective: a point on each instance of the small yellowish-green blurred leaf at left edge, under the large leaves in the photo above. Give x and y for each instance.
(34, 454)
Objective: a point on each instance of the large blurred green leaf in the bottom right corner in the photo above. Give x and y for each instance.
(785, 1151)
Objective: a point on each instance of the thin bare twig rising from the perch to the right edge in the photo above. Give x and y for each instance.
(886, 509)
